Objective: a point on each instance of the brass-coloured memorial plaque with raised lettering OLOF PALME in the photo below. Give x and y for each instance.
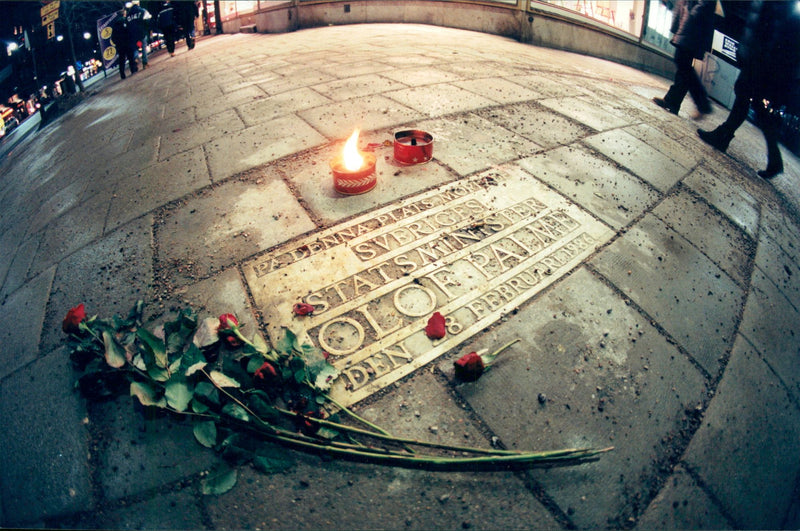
(472, 250)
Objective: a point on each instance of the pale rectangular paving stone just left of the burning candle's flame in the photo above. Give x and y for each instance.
(259, 145)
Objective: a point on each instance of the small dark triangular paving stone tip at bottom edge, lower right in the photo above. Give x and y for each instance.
(681, 504)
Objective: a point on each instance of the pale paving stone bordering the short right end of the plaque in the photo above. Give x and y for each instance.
(608, 192)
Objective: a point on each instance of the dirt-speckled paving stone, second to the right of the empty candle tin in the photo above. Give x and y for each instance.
(542, 126)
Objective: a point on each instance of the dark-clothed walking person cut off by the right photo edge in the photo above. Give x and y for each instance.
(769, 59)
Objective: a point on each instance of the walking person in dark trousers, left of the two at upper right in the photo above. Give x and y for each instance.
(693, 31)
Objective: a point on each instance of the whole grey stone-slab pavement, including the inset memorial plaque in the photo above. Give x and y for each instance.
(654, 284)
